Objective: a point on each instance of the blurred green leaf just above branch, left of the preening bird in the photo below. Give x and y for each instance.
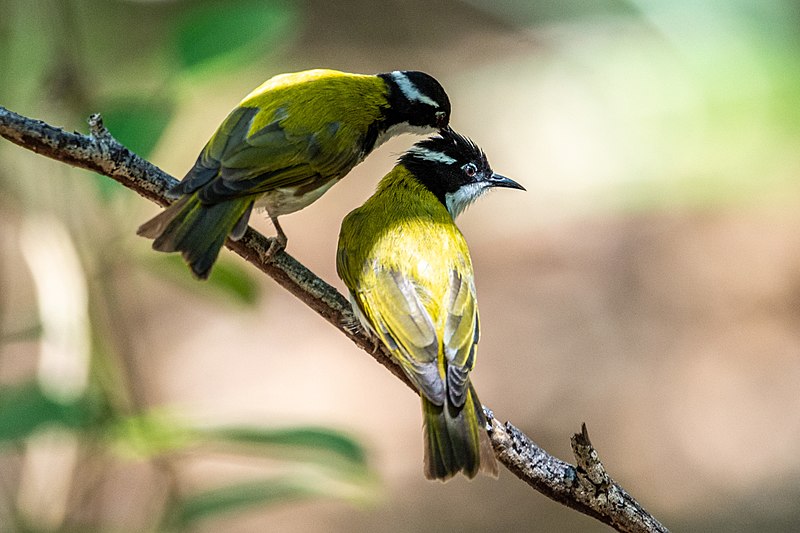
(137, 122)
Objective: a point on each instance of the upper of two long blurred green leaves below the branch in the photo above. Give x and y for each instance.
(311, 440)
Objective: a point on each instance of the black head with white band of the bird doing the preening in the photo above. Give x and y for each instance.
(416, 99)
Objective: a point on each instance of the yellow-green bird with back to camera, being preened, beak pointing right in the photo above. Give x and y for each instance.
(411, 284)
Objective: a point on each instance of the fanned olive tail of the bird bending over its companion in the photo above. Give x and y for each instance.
(196, 230)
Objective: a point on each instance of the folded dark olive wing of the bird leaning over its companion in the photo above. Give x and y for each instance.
(236, 163)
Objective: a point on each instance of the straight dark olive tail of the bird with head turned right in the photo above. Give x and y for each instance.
(456, 439)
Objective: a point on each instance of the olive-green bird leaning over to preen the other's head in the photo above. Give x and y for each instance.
(283, 146)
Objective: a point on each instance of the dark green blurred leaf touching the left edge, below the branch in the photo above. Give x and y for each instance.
(25, 408)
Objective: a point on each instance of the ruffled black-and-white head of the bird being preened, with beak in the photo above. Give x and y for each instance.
(454, 169)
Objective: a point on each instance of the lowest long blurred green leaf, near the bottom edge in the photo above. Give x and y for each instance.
(244, 495)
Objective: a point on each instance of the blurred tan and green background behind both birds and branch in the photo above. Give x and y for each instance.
(648, 283)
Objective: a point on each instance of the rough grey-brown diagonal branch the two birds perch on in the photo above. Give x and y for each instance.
(586, 487)
